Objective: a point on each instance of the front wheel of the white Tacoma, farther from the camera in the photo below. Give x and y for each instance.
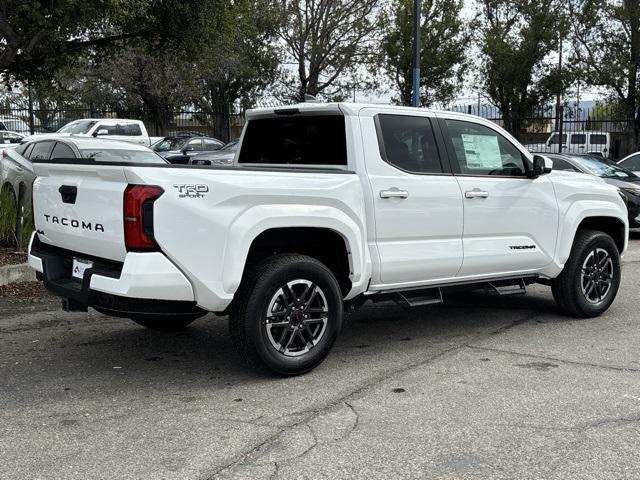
(591, 277)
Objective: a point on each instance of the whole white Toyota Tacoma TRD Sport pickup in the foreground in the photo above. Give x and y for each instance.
(325, 207)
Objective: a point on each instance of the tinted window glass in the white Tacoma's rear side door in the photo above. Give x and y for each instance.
(407, 142)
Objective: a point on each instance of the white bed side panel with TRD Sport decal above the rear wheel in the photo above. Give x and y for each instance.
(208, 236)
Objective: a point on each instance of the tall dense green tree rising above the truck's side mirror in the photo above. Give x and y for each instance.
(516, 37)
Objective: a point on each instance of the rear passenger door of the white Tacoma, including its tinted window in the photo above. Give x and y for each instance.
(416, 200)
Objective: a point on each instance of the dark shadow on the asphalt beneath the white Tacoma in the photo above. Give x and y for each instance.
(203, 354)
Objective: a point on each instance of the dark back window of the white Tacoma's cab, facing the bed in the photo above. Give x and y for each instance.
(296, 140)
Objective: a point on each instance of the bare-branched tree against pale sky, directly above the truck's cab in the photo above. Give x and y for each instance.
(325, 40)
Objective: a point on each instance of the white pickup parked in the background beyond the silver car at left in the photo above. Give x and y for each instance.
(125, 130)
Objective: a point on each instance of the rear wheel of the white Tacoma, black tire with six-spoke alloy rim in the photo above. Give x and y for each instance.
(287, 314)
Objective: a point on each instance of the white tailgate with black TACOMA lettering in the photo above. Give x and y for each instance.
(80, 208)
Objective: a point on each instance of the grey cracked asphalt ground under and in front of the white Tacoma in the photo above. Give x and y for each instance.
(481, 387)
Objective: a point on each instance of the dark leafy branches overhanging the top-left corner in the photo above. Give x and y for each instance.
(37, 37)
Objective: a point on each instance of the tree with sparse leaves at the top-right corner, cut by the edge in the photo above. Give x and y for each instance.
(606, 37)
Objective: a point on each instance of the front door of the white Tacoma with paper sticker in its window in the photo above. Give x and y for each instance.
(510, 220)
